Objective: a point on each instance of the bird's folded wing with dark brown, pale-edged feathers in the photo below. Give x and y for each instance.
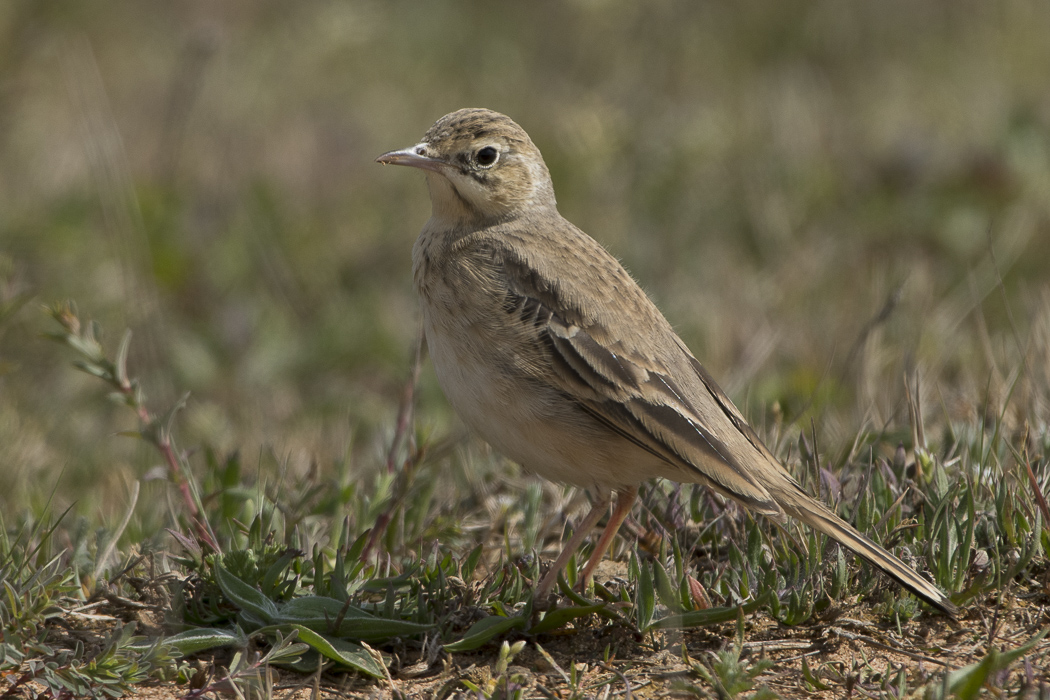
(629, 390)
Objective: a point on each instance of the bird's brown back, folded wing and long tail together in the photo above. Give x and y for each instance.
(645, 385)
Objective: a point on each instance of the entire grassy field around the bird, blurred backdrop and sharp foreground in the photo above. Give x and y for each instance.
(845, 213)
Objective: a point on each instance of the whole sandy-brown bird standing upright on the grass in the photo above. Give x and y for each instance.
(549, 350)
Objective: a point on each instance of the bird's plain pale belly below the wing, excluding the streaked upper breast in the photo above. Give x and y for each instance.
(528, 421)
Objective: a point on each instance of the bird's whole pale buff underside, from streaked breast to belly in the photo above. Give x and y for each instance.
(496, 376)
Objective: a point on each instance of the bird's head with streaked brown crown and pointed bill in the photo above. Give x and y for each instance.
(480, 167)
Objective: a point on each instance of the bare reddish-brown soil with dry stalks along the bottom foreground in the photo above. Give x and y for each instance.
(847, 652)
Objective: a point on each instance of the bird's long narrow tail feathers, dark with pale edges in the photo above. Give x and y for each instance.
(820, 518)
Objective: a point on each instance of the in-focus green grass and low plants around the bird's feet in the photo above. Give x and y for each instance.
(348, 579)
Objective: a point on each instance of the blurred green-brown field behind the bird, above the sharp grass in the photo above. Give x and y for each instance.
(823, 198)
